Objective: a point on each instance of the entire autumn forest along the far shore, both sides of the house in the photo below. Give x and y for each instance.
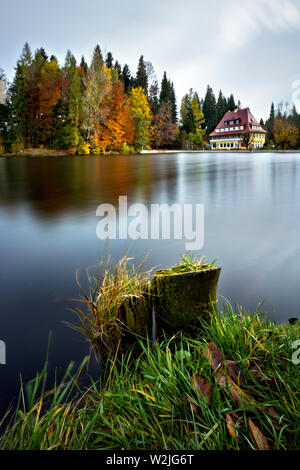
(103, 107)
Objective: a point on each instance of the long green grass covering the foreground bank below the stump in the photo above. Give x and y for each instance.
(149, 403)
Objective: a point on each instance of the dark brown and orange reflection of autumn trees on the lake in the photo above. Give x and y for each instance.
(53, 186)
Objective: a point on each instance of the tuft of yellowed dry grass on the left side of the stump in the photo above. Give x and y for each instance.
(114, 307)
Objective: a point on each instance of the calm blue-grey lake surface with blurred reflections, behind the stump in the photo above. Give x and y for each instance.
(48, 231)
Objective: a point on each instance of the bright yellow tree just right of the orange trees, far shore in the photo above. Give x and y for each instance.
(140, 111)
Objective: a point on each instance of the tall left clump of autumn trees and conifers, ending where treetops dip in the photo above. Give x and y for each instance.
(86, 108)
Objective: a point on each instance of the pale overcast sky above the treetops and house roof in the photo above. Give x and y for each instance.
(250, 49)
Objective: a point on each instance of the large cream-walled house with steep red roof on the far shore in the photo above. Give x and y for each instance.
(238, 129)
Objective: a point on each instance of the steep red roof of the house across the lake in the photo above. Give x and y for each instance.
(247, 120)
